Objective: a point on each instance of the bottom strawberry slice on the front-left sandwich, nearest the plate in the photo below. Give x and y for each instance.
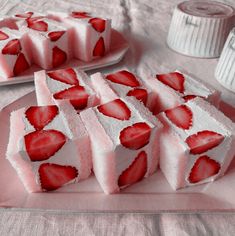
(53, 176)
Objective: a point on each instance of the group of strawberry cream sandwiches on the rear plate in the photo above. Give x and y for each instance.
(50, 40)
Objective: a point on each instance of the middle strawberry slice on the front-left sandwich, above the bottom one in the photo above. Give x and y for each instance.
(42, 144)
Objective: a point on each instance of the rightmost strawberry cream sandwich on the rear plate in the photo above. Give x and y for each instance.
(91, 34)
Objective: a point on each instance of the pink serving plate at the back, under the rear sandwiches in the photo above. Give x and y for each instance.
(119, 47)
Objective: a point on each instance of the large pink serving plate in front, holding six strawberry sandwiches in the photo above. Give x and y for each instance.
(152, 195)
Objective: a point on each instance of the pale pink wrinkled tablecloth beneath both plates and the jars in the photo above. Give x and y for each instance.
(145, 25)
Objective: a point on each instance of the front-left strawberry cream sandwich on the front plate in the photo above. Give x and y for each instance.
(49, 147)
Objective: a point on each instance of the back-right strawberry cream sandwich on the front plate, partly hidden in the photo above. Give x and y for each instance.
(176, 88)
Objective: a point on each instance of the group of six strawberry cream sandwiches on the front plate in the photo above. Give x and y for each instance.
(120, 126)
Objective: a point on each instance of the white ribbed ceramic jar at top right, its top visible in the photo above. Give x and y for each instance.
(200, 28)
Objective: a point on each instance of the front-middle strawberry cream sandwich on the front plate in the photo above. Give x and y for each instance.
(124, 139)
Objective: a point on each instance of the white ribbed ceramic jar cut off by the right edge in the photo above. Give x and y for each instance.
(225, 70)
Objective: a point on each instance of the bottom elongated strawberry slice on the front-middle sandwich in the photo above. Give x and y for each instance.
(135, 172)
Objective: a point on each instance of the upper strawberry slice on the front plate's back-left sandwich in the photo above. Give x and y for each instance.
(67, 76)
